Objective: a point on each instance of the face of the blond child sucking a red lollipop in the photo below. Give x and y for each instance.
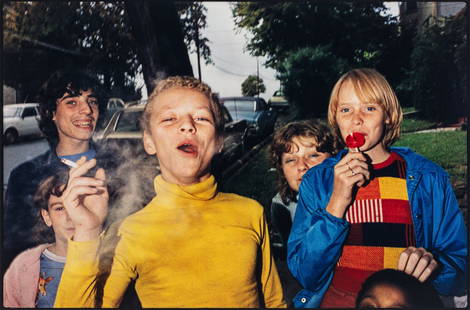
(368, 118)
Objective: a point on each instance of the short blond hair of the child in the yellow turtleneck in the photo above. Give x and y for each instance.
(187, 82)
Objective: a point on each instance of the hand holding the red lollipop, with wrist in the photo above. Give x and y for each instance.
(351, 171)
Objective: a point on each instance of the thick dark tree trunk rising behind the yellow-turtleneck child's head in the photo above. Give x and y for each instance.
(157, 31)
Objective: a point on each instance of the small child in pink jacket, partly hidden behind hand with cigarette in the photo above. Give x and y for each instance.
(34, 275)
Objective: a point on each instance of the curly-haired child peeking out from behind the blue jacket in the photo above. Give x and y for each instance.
(296, 147)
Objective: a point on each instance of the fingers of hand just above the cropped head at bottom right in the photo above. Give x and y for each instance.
(417, 262)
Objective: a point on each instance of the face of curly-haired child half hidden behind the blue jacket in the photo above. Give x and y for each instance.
(302, 156)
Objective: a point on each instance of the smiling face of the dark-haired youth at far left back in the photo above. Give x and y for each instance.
(75, 116)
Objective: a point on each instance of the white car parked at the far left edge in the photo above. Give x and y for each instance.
(20, 120)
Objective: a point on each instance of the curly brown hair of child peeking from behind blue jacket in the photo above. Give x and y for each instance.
(282, 143)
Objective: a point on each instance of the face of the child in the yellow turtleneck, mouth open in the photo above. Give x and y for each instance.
(182, 135)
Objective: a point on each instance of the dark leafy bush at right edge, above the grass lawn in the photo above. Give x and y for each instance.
(438, 75)
